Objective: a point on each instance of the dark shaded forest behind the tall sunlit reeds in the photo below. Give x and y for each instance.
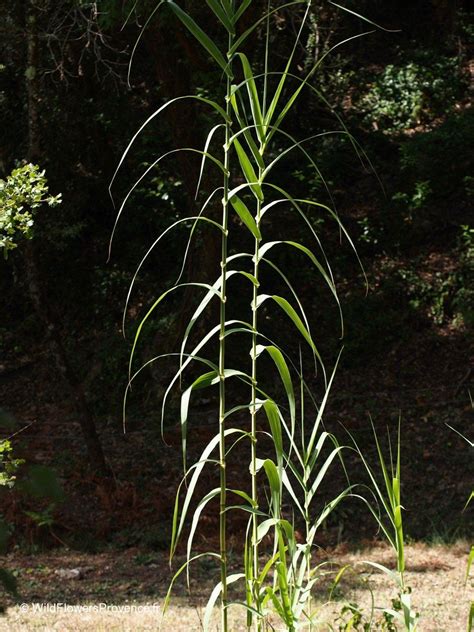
(66, 105)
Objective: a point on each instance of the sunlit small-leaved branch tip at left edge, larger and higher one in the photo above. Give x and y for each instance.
(21, 194)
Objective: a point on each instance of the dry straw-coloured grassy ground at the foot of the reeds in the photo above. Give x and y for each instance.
(435, 574)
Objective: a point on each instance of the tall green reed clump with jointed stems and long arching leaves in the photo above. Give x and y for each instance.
(250, 112)
